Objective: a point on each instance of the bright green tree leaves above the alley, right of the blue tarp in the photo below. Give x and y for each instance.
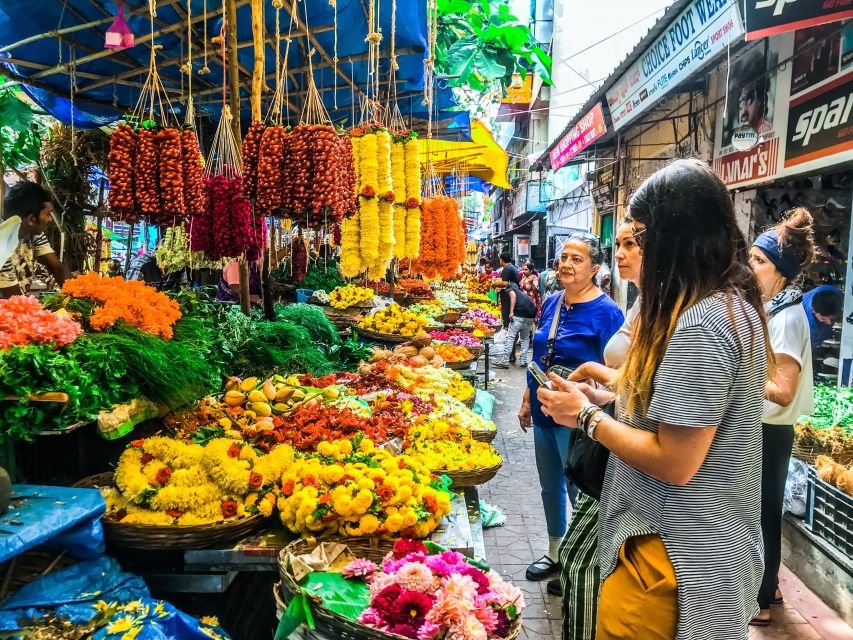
(480, 42)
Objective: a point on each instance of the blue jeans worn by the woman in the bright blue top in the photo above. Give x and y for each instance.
(551, 445)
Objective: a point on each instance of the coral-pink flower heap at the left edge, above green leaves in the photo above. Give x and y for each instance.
(24, 321)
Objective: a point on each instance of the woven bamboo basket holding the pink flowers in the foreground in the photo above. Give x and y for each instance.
(333, 624)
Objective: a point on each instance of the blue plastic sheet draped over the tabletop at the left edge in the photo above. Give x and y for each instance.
(61, 517)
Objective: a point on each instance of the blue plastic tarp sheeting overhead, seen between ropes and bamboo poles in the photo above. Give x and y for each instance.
(100, 97)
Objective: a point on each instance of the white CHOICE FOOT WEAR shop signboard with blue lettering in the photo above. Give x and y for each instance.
(702, 30)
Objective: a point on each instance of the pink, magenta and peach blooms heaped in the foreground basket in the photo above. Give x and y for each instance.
(438, 597)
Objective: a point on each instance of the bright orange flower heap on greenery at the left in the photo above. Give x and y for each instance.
(132, 301)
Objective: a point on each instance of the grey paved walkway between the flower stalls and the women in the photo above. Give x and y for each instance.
(523, 538)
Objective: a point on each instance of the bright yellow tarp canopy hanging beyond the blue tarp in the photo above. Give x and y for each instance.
(481, 158)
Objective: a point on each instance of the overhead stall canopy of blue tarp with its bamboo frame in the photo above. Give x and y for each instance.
(61, 46)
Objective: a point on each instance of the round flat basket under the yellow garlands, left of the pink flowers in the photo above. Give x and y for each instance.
(138, 536)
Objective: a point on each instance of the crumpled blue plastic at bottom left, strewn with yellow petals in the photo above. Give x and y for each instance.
(74, 594)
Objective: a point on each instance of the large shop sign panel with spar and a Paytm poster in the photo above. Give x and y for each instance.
(801, 111)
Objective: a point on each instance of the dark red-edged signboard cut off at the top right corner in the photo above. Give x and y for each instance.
(765, 18)
